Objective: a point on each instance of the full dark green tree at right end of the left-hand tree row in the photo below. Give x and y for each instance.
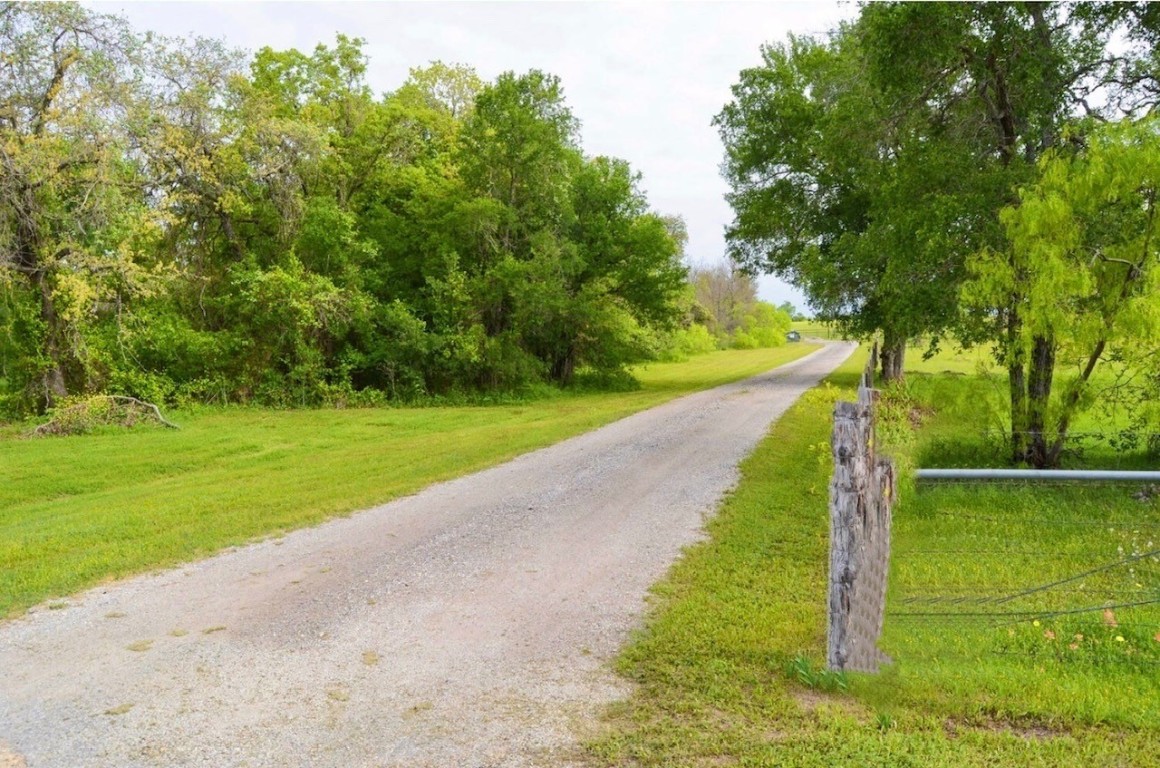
(569, 267)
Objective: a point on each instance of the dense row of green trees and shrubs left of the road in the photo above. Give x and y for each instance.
(271, 231)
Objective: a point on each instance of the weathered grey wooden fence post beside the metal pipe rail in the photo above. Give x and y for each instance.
(861, 496)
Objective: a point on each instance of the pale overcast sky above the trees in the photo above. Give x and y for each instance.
(646, 79)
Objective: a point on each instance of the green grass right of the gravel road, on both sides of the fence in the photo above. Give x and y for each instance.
(730, 665)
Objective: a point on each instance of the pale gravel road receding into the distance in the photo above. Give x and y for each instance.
(468, 626)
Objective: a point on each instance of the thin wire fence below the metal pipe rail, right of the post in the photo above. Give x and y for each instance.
(1026, 575)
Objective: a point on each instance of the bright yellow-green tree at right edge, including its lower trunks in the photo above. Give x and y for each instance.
(1079, 280)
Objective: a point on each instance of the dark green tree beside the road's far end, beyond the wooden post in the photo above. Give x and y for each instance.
(828, 186)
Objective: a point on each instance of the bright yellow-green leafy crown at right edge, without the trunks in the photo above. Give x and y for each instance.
(1083, 245)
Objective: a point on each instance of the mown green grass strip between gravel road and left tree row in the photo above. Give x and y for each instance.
(78, 511)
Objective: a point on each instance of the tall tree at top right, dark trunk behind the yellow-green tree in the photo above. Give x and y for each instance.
(1010, 78)
